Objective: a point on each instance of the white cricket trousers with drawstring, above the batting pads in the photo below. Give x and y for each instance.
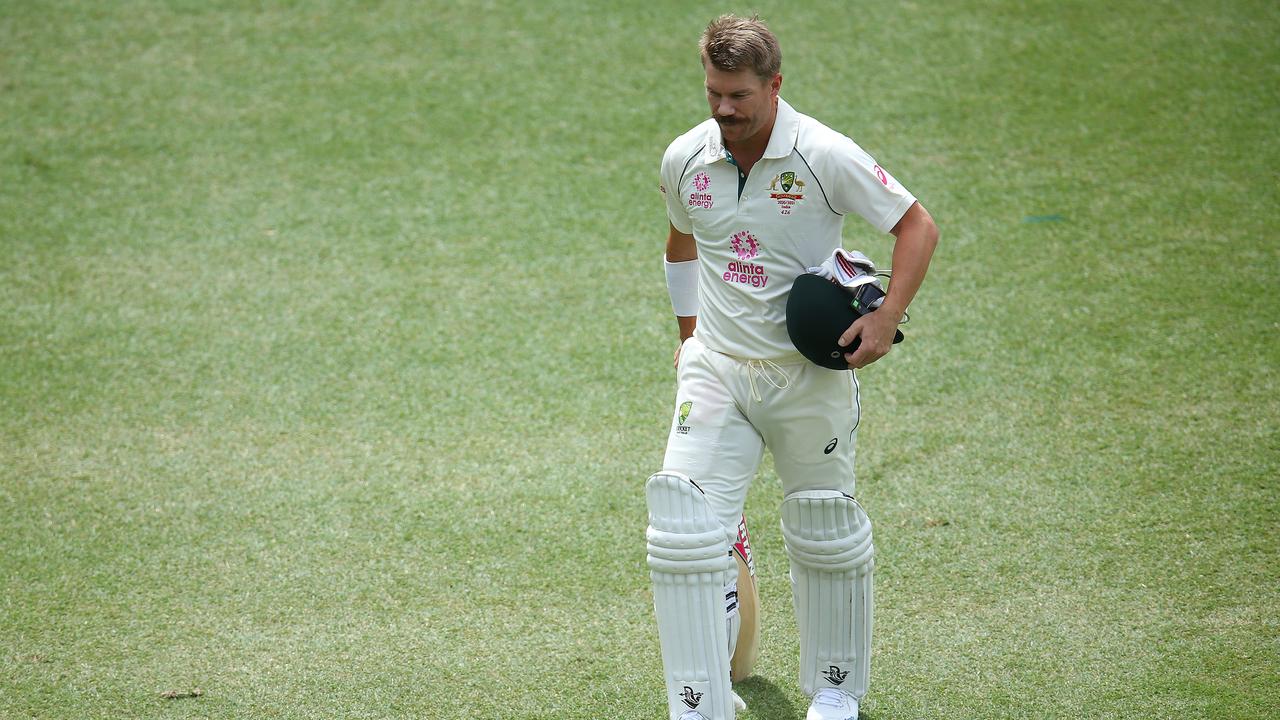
(729, 411)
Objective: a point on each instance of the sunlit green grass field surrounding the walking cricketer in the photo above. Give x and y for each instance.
(335, 353)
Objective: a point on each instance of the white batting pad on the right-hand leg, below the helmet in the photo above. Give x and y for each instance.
(829, 541)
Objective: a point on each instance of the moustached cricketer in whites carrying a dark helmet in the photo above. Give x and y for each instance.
(757, 195)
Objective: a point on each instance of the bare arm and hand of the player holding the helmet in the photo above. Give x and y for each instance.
(916, 239)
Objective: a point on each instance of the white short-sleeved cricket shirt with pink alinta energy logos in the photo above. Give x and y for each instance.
(752, 245)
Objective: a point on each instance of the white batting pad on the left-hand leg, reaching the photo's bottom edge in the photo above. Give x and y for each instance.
(691, 567)
